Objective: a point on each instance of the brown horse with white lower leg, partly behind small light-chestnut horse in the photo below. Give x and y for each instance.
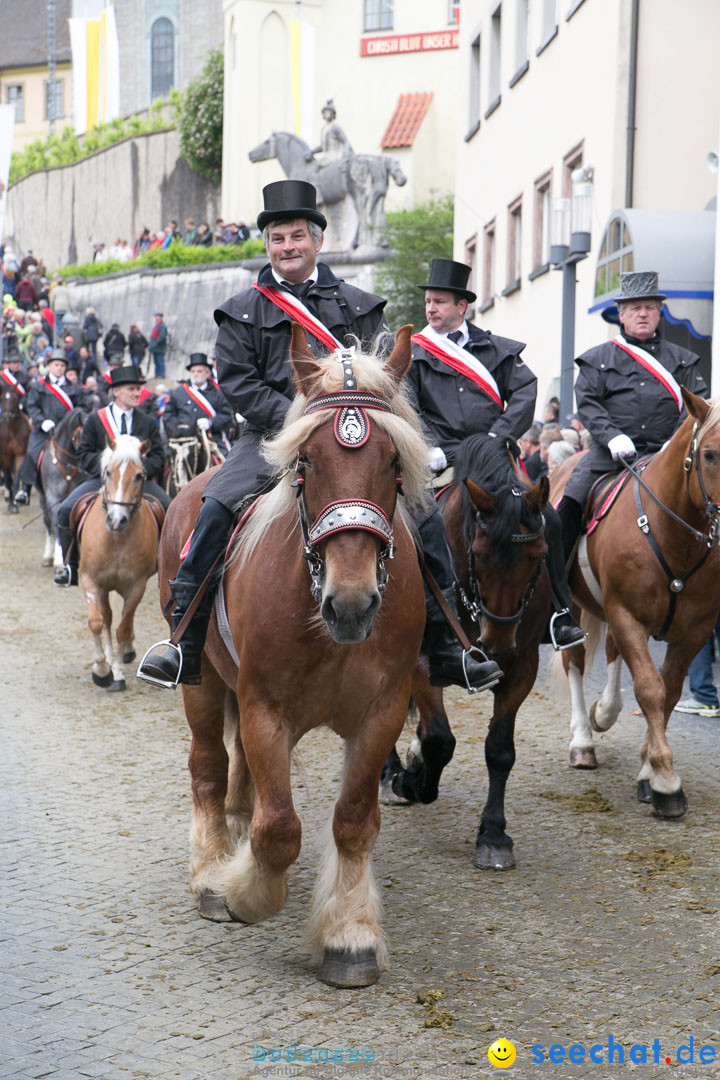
(59, 474)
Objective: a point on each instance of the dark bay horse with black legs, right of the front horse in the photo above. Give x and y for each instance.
(494, 519)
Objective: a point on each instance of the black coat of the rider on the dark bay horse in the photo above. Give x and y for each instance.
(453, 408)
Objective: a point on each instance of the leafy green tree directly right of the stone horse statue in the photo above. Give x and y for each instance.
(416, 237)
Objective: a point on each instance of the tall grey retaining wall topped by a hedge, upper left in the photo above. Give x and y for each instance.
(60, 213)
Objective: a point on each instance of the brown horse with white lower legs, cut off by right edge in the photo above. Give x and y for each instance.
(650, 568)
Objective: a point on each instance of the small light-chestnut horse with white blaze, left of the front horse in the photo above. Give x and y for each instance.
(119, 553)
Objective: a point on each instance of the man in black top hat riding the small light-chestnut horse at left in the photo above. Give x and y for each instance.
(121, 417)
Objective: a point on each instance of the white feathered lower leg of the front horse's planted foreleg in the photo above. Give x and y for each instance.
(346, 910)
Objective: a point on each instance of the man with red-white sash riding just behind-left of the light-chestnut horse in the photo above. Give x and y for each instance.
(49, 401)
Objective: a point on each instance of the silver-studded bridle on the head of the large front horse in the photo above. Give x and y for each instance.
(352, 429)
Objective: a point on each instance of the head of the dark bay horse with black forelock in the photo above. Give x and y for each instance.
(506, 533)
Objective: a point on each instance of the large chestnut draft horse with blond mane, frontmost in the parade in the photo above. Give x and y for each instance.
(333, 647)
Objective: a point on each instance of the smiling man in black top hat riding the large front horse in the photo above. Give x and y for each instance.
(254, 372)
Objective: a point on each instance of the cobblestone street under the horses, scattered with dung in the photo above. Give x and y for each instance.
(608, 927)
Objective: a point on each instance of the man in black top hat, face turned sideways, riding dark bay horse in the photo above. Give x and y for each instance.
(468, 382)
